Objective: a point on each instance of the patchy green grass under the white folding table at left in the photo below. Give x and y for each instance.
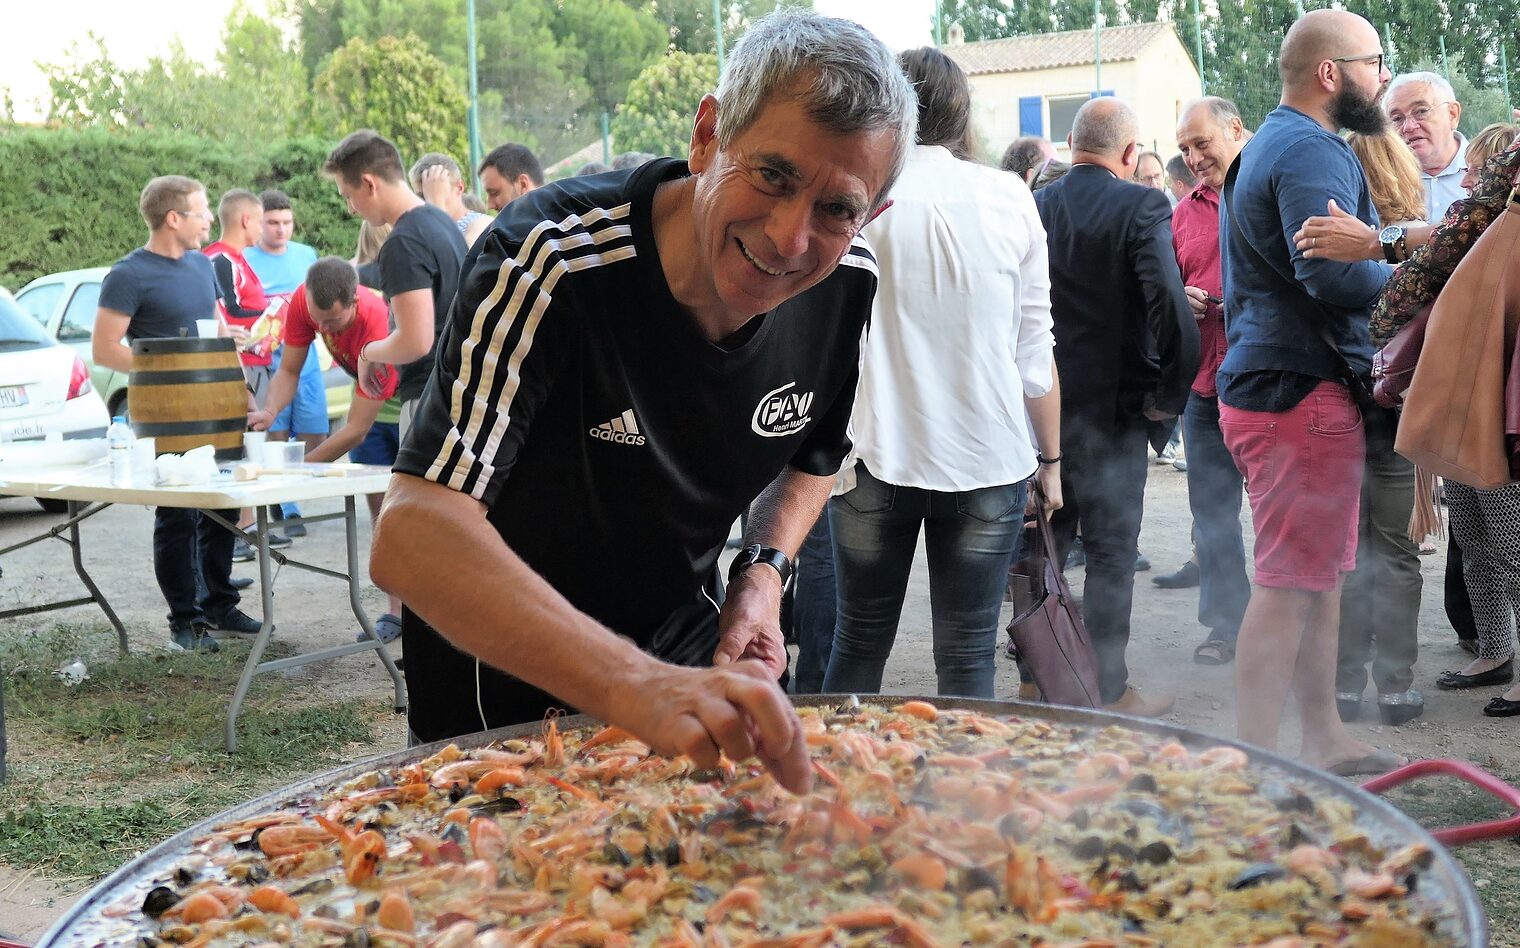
(109, 768)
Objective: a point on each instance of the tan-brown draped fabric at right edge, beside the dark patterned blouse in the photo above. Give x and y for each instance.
(1455, 417)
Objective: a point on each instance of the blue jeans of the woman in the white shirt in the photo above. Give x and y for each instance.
(972, 539)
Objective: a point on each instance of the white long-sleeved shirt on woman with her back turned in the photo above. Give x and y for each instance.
(960, 330)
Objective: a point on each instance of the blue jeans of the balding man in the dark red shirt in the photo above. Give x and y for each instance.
(1214, 493)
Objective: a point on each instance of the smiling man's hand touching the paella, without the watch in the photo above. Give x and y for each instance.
(736, 710)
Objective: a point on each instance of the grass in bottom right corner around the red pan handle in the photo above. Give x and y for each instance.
(1495, 867)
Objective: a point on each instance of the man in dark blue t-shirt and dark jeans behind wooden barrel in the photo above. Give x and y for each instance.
(159, 292)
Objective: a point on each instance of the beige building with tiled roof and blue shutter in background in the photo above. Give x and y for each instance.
(1033, 86)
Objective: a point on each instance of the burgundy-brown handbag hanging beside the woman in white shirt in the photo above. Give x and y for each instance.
(1048, 631)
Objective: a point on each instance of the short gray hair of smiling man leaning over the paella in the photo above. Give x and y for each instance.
(843, 75)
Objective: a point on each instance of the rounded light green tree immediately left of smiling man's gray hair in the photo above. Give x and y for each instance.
(662, 103)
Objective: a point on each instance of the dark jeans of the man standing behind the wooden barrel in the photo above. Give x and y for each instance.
(194, 564)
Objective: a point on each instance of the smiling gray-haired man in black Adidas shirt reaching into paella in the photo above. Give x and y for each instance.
(633, 359)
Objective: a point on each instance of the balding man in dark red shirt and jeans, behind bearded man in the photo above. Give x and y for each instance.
(1211, 136)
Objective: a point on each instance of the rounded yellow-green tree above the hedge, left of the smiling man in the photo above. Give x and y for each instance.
(397, 89)
